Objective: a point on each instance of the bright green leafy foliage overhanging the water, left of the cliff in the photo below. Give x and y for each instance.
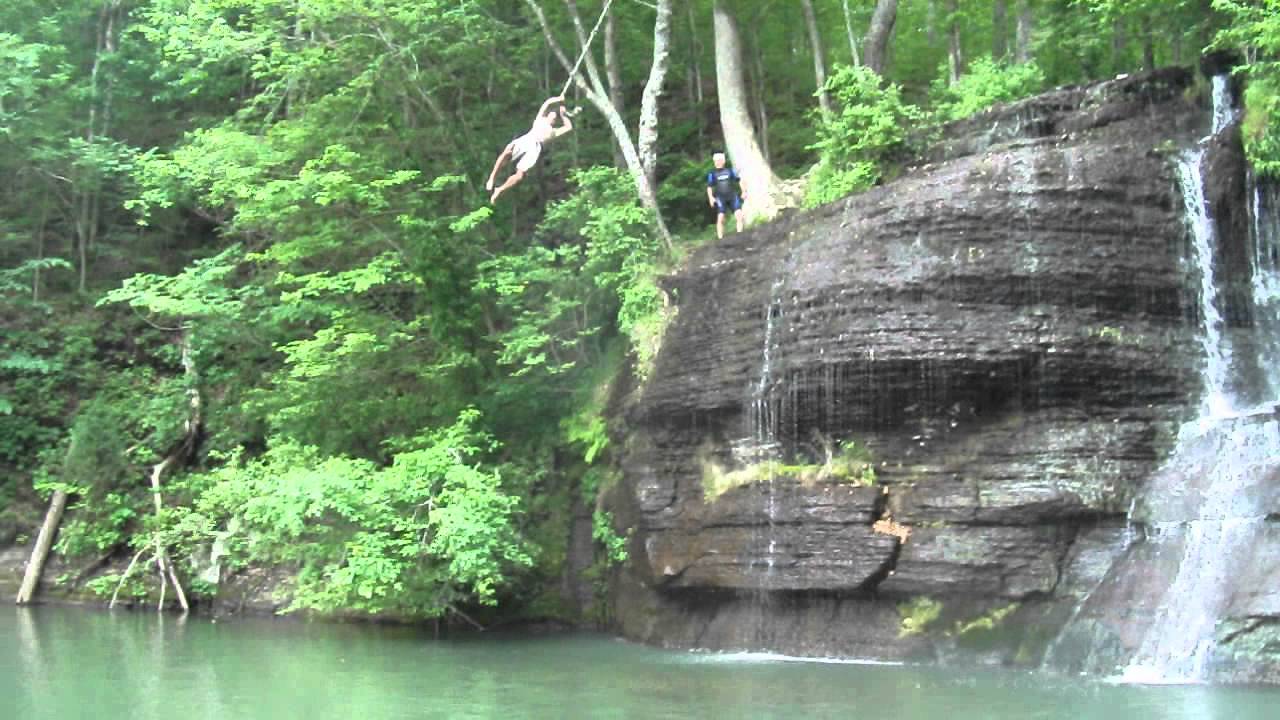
(433, 528)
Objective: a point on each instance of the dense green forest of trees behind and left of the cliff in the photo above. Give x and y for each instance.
(257, 309)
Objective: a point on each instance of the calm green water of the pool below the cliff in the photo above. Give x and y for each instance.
(70, 664)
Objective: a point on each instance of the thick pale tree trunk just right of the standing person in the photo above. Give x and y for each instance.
(760, 184)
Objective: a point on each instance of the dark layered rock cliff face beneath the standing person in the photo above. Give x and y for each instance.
(1008, 336)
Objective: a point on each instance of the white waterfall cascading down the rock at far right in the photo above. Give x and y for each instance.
(1204, 507)
